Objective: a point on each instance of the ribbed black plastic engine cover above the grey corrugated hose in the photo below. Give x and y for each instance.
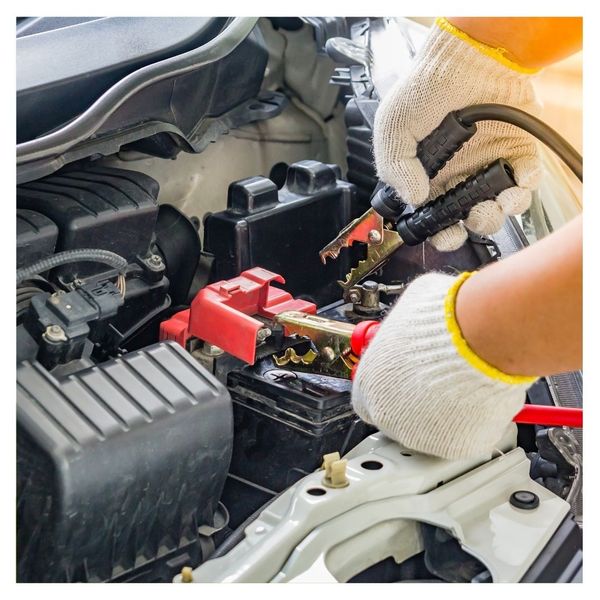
(96, 207)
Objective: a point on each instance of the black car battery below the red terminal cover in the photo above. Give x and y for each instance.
(284, 422)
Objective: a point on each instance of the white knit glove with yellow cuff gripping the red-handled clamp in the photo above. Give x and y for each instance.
(420, 383)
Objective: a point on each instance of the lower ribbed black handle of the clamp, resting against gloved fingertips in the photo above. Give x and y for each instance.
(455, 204)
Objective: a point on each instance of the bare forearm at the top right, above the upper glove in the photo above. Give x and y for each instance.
(532, 42)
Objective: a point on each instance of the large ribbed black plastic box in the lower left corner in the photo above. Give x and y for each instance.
(118, 464)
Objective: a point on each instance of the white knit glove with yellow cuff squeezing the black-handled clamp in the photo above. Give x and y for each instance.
(453, 71)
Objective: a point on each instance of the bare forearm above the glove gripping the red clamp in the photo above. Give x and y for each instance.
(523, 315)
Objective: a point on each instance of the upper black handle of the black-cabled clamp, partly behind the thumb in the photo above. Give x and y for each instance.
(434, 151)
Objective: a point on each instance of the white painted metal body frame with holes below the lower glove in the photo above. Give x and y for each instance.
(313, 533)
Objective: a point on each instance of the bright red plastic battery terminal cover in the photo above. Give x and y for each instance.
(222, 313)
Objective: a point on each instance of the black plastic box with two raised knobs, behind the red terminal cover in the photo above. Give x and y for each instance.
(283, 231)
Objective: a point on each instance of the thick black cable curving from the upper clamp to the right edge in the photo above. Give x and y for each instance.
(537, 128)
